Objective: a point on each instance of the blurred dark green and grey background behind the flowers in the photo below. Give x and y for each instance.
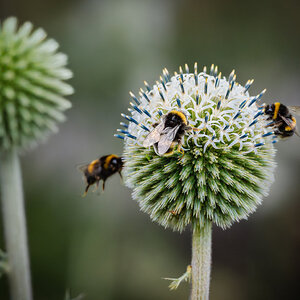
(102, 245)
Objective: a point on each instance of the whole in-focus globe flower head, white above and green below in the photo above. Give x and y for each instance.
(228, 161)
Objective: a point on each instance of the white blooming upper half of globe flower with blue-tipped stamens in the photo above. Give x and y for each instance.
(216, 107)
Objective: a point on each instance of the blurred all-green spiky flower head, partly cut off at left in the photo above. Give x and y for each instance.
(31, 85)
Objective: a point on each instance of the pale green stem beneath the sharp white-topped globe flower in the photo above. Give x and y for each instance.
(201, 262)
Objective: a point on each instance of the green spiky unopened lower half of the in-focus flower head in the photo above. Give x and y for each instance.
(219, 186)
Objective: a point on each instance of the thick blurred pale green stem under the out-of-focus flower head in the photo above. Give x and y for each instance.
(15, 225)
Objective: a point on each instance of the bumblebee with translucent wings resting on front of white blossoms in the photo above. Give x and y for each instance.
(168, 132)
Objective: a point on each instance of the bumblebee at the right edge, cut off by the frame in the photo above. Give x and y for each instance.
(283, 122)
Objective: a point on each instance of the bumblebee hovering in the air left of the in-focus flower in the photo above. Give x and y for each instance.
(101, 169)
